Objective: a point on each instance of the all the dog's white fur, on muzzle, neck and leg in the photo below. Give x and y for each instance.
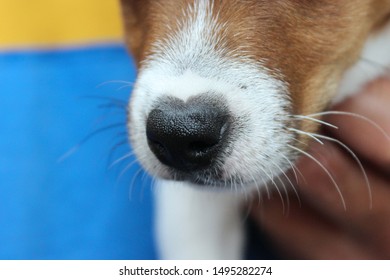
(193, 224)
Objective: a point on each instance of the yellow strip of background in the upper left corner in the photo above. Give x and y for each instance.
(58, 22)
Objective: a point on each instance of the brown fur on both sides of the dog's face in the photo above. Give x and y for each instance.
(308, 44)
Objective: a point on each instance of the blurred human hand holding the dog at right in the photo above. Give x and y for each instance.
(318, 226)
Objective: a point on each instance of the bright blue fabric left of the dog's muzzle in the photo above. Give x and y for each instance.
(61, 127)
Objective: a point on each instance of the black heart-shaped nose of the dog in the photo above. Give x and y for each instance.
(187, 136)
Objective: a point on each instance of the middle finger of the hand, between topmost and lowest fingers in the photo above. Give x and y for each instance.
(358, 217)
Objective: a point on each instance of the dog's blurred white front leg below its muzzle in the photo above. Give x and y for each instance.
(196, 224)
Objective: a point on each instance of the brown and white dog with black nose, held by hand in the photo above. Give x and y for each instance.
(227, 96)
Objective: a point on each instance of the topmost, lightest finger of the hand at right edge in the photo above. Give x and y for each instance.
(363, 136)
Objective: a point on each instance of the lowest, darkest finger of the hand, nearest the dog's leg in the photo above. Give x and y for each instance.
(304, 235)
